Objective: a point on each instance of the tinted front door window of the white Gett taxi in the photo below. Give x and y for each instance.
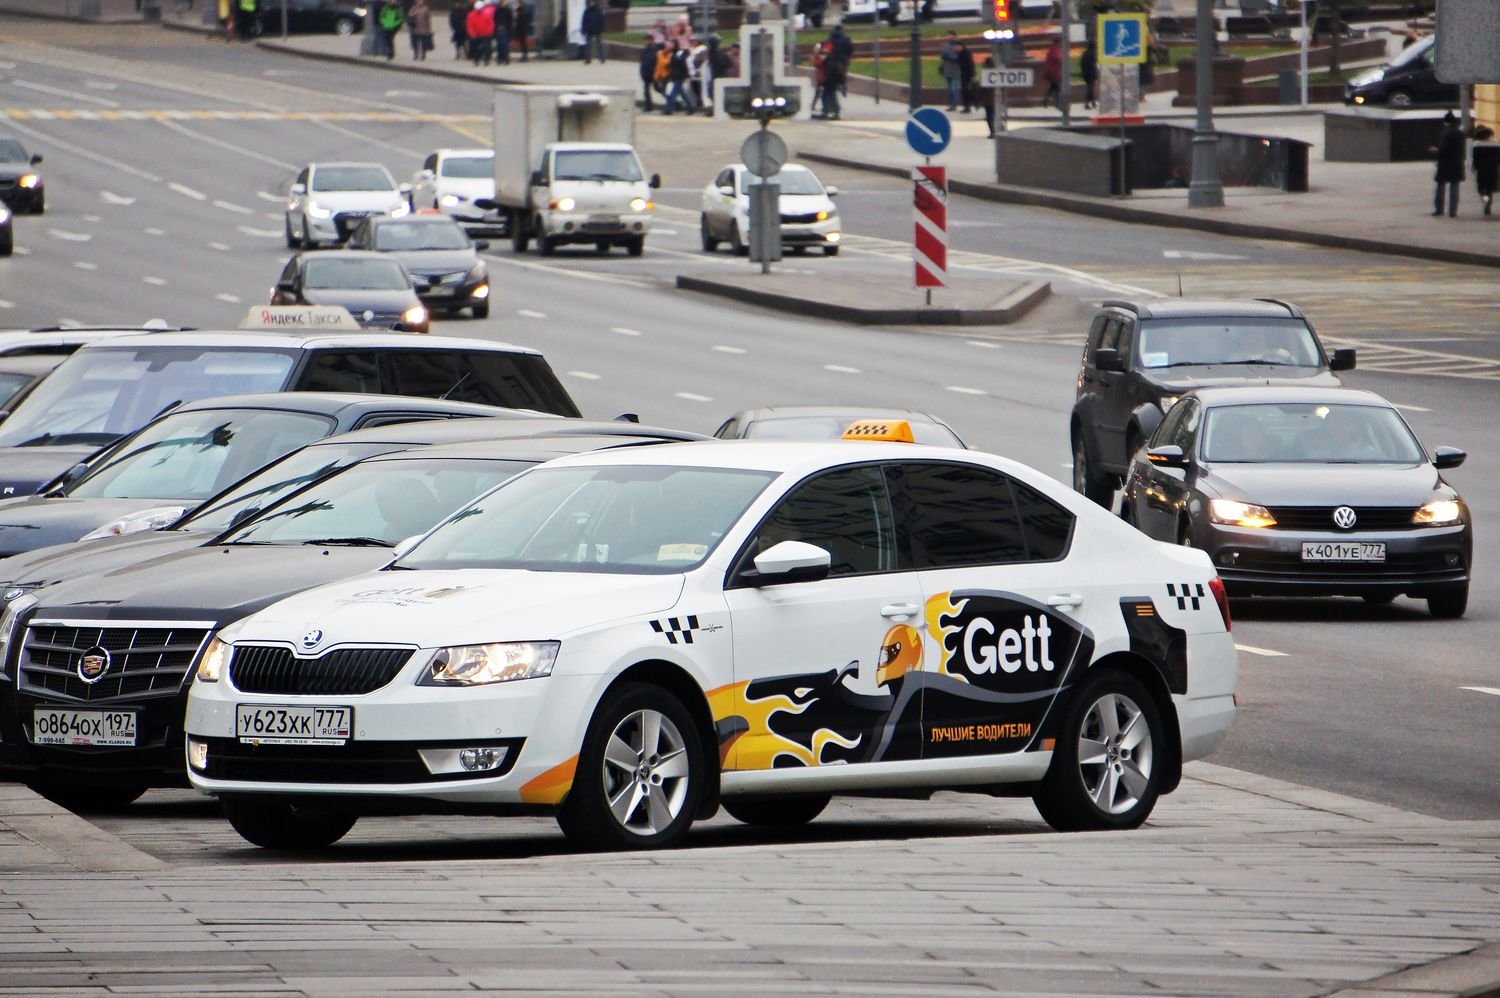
(845, 513)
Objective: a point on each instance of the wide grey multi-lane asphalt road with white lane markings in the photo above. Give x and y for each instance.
(167, 160)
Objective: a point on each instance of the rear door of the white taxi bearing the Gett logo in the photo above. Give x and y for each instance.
(1004, 606)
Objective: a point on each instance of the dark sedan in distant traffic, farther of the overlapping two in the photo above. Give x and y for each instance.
(437, 253)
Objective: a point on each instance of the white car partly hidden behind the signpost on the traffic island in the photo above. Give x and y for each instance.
(809, 217)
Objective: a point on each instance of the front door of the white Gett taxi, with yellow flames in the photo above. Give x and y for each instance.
(821, 669)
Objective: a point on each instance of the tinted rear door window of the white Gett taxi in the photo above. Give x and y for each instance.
(956, 516)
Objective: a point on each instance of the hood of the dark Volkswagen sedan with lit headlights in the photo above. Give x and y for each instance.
(1325, 484)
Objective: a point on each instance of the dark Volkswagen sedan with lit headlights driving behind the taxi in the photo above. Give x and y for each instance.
(1306, 493)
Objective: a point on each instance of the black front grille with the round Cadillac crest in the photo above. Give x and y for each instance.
(143, 661)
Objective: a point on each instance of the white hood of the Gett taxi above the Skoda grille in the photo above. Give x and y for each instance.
(463, 607)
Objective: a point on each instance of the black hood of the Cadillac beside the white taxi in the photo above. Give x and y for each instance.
(218, 583)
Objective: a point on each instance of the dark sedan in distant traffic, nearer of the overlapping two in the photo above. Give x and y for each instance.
(377, 290)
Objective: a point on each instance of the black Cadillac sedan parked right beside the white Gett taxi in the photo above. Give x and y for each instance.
(97, 711)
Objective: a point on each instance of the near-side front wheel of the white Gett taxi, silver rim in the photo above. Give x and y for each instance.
(665, 786)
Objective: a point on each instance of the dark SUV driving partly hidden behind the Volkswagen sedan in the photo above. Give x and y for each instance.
(1141, 356)
